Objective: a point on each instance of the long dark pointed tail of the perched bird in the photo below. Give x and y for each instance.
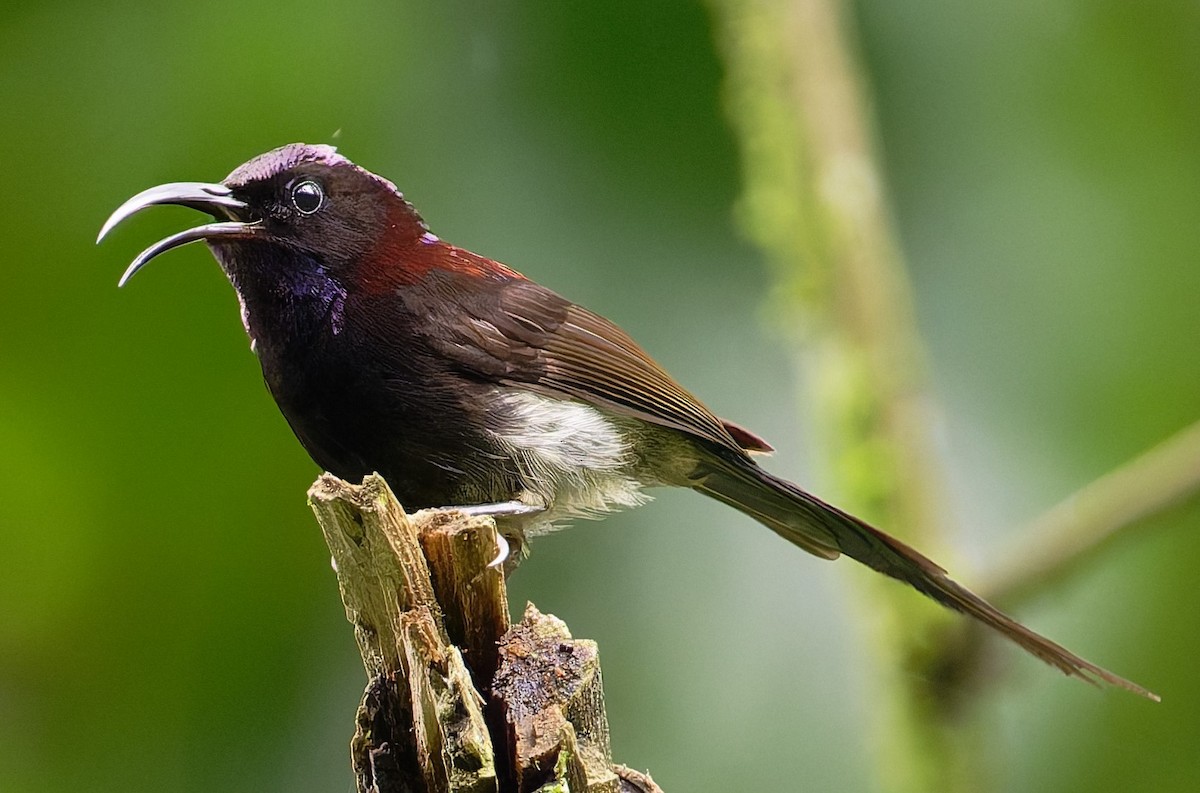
(827, 532)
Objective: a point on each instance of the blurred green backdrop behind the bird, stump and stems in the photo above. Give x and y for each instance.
(169, 621)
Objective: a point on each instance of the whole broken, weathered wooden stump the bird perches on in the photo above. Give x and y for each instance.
(421, 626)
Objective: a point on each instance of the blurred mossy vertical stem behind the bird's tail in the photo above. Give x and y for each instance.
(814, 202)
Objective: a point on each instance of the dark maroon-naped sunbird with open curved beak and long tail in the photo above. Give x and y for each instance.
(467, 386)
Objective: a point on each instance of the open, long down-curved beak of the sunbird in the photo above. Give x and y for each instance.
(214, 200)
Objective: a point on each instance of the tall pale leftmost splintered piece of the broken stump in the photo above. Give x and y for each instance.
(421, 726)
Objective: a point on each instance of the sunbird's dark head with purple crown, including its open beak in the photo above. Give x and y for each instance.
(301, 207)
